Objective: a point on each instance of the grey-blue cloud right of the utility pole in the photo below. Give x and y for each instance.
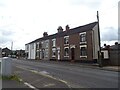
(109, 34)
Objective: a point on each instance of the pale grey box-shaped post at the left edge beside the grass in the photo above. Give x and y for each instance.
(6, 66)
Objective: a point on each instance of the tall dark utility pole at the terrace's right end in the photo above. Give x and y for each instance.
(99, 52)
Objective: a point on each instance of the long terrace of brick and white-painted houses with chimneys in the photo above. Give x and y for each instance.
(79, 43)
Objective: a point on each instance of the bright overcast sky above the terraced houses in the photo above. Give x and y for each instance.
(23, 21)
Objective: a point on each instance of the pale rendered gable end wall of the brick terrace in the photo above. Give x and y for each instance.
(95, 42)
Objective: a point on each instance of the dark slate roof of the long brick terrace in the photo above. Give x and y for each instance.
(79, 29)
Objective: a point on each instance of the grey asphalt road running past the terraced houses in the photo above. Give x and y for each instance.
(76, 77)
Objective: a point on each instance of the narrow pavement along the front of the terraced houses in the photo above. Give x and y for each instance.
(86, 65)
